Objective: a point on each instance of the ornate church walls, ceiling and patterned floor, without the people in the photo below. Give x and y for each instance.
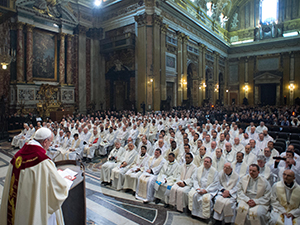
(62, 57)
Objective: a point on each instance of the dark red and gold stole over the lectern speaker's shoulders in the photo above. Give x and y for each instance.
(28, 156)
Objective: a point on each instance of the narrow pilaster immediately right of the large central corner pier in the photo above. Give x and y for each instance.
(163, 29)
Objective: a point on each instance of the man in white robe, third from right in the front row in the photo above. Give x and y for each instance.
(225, 201)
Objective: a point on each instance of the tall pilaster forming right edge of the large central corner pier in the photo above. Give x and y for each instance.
(157, 20)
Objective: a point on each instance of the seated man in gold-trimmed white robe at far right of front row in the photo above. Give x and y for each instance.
(285, 200)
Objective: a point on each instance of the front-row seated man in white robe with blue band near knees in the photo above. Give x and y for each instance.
(166, 179)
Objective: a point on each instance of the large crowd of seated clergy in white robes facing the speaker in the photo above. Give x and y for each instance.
(216, 172)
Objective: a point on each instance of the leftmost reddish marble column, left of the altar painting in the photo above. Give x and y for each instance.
(20, 53)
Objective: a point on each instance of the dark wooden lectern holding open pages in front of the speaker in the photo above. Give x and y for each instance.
(74, 207)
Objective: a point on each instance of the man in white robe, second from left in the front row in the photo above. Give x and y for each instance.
(117, 173)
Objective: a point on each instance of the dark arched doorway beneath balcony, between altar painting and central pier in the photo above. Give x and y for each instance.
(118, 88)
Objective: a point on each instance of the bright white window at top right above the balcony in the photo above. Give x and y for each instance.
(268, 11)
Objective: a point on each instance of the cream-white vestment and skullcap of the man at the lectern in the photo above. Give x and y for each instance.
(41, 192)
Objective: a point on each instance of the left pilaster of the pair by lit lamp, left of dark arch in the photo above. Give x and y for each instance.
(179, 69)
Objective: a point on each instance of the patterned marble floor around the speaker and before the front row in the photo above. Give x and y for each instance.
(107, 206)
